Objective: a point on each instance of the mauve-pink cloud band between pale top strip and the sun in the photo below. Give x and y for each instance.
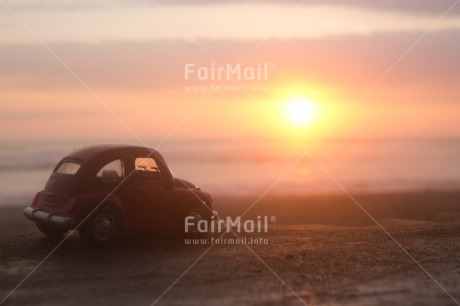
(350, 63)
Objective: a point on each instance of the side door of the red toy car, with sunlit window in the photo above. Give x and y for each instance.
(153, 197)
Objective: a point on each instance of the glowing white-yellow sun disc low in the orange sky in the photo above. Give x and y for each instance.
(300, 111)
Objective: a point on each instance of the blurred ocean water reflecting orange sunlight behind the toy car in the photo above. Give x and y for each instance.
(252, 168)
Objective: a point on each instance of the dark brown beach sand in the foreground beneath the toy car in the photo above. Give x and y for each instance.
(322, 250)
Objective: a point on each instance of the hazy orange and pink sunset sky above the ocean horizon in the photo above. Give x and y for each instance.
(116, 69)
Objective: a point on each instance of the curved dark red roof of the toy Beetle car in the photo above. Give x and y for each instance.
(96, 151)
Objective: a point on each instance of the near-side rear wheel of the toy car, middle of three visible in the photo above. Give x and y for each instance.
(101, 228)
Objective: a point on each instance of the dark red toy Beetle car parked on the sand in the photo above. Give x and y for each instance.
(102, 190)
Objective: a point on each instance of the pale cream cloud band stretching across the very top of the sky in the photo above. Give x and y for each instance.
(243, 21)
